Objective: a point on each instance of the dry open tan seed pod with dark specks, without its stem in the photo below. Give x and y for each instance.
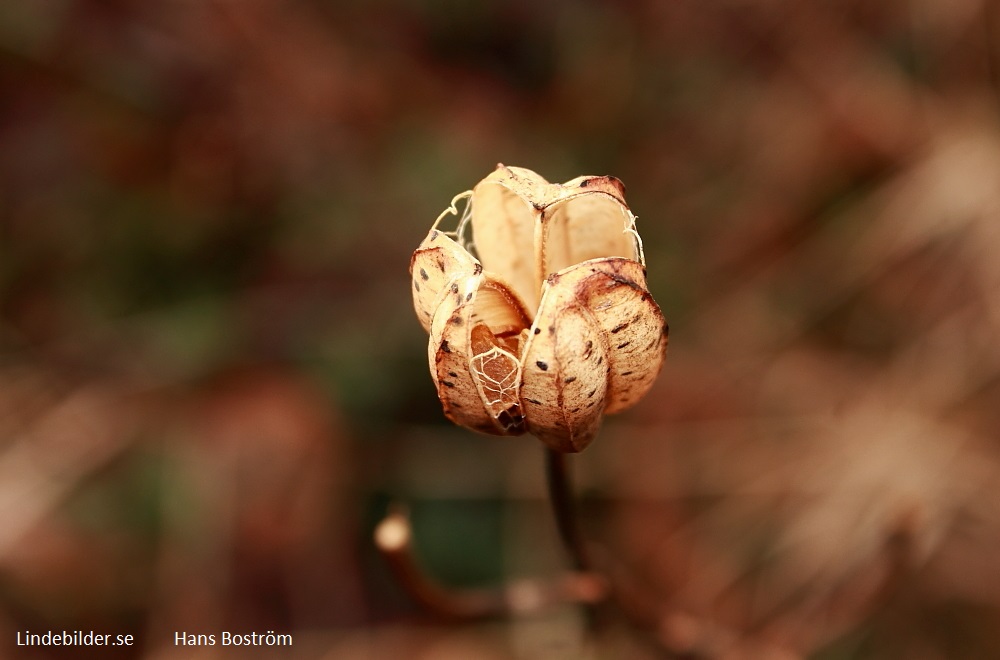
(550, 325)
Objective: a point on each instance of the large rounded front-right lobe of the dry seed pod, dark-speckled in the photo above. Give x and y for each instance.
(597, 345)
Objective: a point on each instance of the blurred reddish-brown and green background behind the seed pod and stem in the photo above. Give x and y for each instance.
(212, 382)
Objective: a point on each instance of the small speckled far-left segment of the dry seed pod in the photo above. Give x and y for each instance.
(434, 265)
